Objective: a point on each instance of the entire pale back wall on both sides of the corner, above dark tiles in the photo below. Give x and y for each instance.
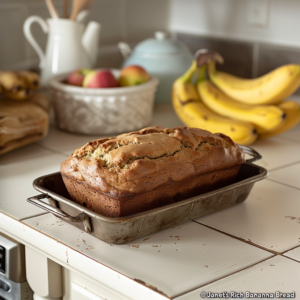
(135, 20)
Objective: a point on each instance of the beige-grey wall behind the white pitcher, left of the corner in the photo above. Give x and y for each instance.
(121, 20)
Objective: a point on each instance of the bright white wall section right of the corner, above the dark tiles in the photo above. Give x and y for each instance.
(229, 19)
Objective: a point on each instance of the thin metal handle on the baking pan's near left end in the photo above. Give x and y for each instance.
(83, 218)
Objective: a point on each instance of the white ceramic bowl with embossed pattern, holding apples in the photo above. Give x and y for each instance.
(102, 111)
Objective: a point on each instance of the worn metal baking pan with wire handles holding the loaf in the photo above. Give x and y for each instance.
(124, 229)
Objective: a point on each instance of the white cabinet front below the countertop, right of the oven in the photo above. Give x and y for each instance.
(49, 280)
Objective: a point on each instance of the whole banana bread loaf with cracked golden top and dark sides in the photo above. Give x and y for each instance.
(149, 168)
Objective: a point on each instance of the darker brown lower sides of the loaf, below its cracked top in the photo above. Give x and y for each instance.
(172, 192)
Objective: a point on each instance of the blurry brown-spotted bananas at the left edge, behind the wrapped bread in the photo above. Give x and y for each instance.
(18, 85)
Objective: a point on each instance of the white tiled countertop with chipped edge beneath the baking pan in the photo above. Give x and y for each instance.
(253, 246)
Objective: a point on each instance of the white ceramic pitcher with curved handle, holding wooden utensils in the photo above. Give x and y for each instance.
(69, 46)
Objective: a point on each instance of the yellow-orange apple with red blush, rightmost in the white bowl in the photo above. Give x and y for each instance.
(133, 75)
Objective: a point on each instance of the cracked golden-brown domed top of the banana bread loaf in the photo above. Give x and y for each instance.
(140, 161)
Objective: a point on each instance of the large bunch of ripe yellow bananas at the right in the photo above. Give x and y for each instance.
(243, 109)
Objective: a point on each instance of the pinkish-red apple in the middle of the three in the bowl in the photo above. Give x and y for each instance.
(100, 79)
